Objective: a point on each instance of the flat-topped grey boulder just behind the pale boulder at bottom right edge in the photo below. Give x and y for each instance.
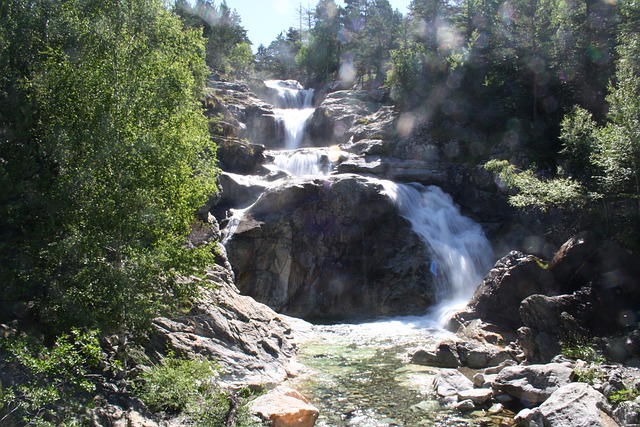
(532, 384)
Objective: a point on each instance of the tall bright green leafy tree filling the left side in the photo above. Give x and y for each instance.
(108, 163)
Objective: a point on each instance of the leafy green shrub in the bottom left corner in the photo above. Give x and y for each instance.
(45, 382)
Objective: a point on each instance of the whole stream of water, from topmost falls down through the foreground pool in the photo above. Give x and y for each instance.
(360, 376)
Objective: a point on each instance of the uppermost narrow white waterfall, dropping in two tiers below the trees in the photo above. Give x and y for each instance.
(295, 106)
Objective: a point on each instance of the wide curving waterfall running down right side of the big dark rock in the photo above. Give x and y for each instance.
(461, 254)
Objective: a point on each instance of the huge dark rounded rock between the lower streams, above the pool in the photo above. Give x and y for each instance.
(309, 249)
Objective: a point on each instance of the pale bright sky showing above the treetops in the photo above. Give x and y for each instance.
(265, 19)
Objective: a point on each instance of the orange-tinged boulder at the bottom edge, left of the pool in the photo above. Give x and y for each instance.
(285, 407)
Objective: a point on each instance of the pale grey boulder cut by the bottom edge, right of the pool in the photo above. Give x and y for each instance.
(577, 405)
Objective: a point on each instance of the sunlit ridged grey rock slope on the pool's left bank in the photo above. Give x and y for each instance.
(252, 343)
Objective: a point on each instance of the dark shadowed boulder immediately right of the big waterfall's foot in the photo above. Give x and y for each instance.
(513, 278)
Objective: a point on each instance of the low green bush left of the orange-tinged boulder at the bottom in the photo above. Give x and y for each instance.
(189, 386)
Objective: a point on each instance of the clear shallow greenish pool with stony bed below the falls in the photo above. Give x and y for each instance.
(360, 376)
